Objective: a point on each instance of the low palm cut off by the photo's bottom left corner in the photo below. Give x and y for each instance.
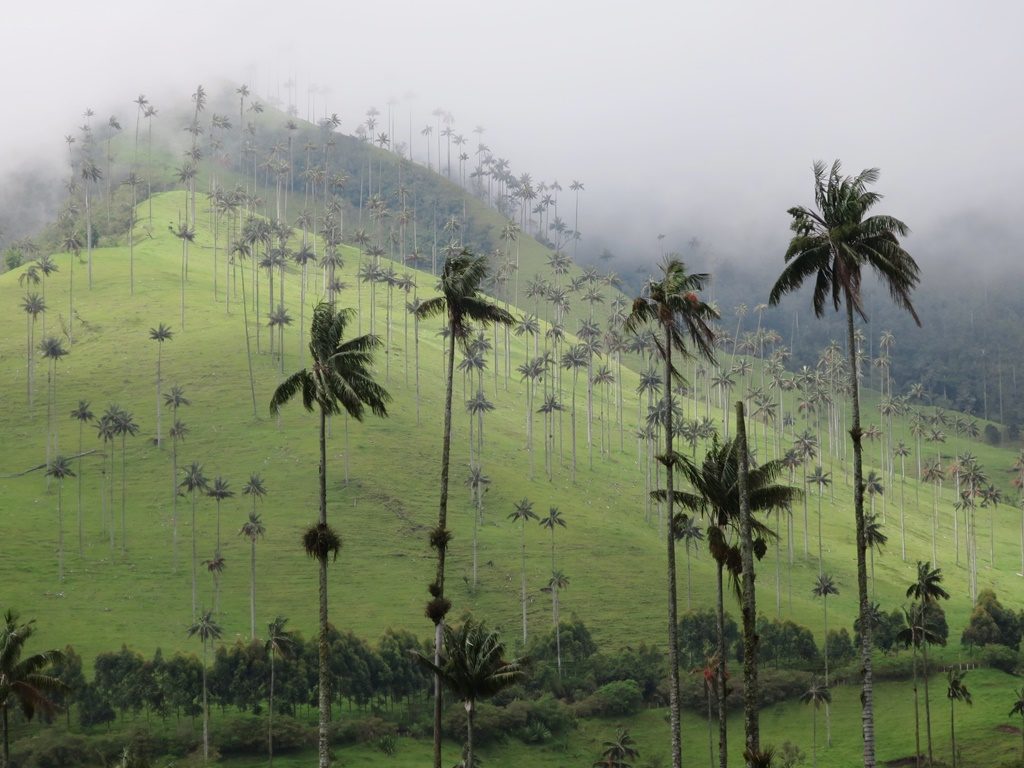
(24, 679)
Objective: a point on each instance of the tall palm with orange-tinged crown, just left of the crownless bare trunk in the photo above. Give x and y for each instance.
(682, 319)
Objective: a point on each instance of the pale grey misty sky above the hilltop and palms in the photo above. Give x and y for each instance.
(687, 118)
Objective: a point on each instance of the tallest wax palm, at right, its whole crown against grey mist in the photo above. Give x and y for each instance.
(834, 244)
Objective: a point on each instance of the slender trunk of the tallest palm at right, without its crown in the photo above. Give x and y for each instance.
(868, 688)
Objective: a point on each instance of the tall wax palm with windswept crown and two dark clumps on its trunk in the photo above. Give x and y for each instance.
(461, 305)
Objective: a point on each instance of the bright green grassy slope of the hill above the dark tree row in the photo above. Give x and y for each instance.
(383, 515)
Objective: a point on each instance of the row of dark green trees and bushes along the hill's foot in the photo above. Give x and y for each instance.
(387, 687)
